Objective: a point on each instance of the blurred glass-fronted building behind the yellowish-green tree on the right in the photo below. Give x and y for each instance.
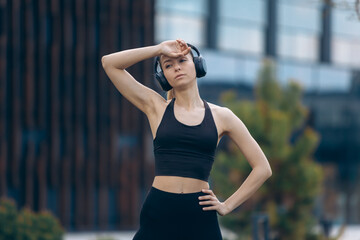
(310, 42)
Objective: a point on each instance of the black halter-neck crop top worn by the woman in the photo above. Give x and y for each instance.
(183, 150)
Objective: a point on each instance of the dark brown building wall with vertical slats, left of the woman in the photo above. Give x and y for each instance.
(69, 142)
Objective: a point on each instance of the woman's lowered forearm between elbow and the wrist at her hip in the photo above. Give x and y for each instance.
(251, 184)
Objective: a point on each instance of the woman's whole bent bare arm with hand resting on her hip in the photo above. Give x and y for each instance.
(261, 170)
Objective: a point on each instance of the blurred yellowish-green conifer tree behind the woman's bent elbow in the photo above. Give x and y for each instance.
(289, 194)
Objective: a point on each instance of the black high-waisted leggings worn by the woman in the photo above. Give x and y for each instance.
(176, 216)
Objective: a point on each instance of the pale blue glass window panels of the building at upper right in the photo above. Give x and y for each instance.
(241, 35)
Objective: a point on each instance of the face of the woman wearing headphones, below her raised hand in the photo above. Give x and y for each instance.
(178, 71)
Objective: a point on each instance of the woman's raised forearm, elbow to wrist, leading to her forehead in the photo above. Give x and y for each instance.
(127, 58)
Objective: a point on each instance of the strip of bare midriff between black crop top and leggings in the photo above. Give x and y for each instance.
(175, 184)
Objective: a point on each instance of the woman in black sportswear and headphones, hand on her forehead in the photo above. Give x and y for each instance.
(186, 131)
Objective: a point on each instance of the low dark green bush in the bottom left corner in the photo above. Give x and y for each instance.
(27, 225)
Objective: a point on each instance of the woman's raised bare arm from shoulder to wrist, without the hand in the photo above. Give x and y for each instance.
(114, 64)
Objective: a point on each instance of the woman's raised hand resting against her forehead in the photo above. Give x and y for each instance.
(174, 48)
